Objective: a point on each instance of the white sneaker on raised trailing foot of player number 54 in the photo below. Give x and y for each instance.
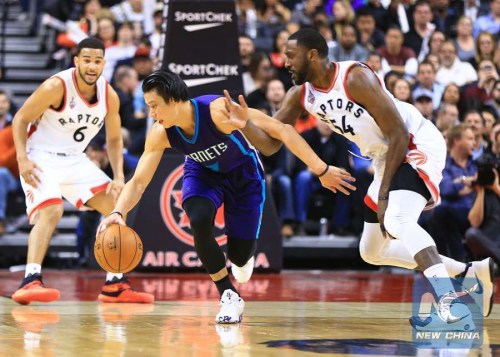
(484, 272)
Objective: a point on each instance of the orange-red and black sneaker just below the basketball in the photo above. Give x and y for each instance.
(119, 290)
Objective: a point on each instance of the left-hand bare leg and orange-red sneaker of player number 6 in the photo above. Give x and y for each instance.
(32, 287)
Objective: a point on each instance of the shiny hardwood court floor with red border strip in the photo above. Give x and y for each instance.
(295, 313)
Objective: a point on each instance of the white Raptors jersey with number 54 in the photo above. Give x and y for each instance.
(349, 119)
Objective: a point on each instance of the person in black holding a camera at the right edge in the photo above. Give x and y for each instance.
(483, 238)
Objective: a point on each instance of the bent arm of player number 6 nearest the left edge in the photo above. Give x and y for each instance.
(49, 94)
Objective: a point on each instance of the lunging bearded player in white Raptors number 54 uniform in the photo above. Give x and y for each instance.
(408, 154)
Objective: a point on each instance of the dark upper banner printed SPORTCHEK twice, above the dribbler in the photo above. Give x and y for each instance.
(201, 45)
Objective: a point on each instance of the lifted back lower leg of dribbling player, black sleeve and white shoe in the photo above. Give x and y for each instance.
(241, 254)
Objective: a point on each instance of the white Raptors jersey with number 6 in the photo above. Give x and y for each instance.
(70, 129)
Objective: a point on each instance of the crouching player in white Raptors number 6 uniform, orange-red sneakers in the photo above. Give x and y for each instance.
(51, 132)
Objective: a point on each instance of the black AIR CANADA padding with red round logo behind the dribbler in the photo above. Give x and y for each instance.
(165, 231)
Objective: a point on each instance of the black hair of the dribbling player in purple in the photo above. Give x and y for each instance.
(168, 85)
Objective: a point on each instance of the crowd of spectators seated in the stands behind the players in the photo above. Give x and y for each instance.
(443, 56)
